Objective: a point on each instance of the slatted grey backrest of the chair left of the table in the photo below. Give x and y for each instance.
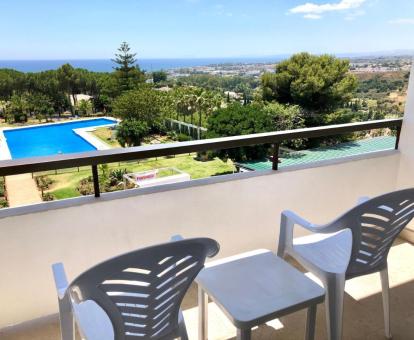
(141, 291)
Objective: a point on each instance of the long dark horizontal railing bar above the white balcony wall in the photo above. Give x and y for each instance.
(29, 165)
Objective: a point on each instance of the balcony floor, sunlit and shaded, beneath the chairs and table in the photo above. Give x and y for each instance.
(363, 317)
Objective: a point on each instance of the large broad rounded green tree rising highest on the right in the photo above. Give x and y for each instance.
(319, 84)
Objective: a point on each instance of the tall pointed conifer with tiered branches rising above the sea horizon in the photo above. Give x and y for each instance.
(128, 73)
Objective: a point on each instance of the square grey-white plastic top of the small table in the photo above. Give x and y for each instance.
(255, 287)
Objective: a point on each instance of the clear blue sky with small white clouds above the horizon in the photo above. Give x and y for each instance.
(73, 29)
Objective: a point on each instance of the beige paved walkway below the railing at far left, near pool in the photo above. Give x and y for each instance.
(22, 190)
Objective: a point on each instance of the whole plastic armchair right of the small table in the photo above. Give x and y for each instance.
(355, 244)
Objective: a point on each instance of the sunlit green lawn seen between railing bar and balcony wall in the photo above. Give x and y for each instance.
(65, 184)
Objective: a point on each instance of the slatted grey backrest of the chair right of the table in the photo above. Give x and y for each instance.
(375, 224)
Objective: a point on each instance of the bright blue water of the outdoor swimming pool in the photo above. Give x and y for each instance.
(51, 139)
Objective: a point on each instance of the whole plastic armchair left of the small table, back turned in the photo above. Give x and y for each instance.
(133, 296)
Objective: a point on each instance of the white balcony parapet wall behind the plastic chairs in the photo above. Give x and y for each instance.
(241, 214)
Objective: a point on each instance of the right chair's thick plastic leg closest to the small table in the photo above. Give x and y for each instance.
(334, 305)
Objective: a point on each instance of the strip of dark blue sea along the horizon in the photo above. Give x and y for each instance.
(106, 65)
